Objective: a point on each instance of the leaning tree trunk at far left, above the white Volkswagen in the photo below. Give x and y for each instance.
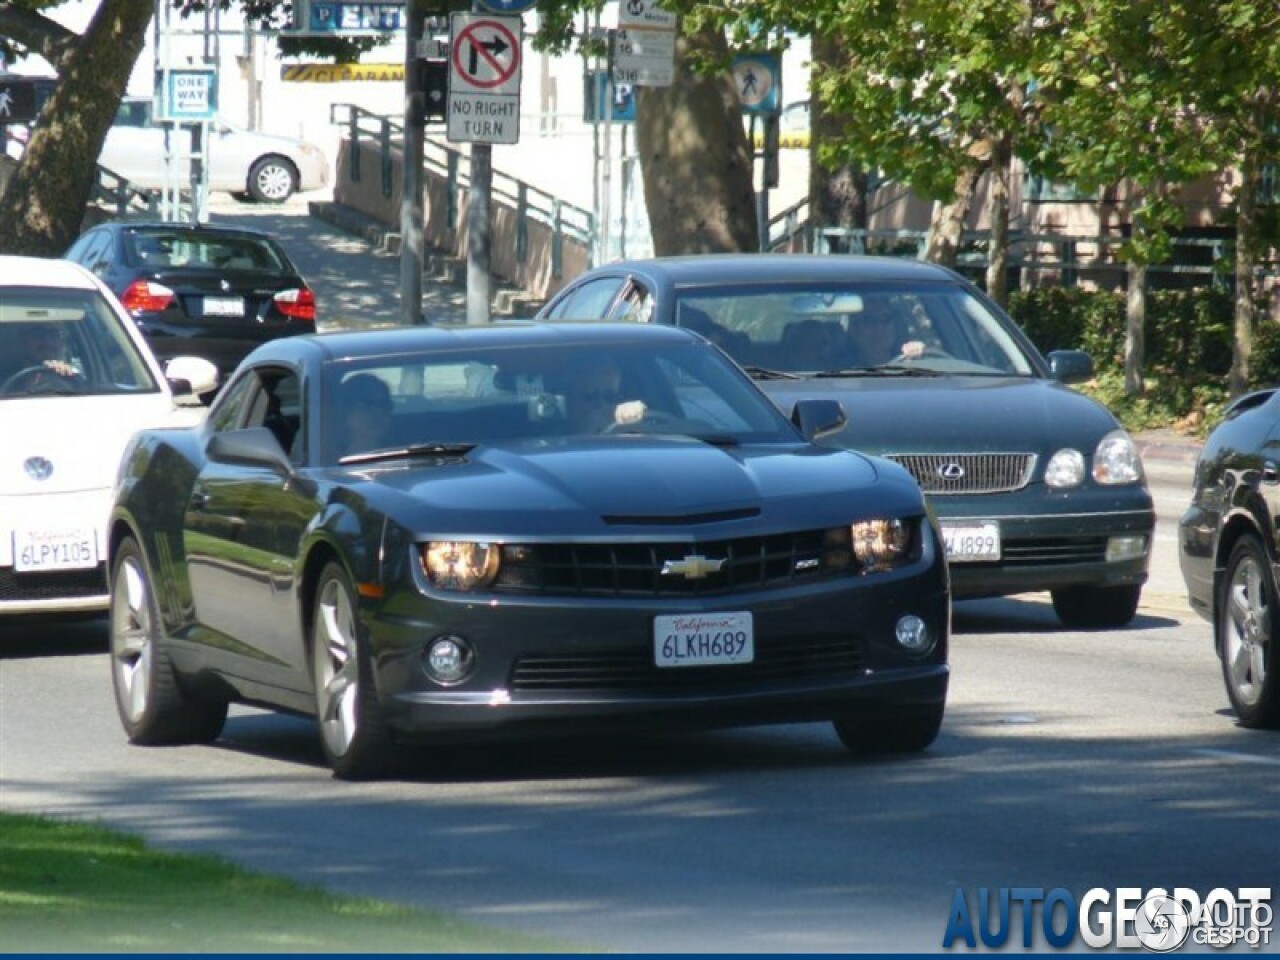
(43, 212)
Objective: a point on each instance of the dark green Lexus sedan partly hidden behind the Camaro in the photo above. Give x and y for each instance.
(1036, 487)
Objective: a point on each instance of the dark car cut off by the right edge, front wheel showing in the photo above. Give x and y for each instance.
(1228, 548)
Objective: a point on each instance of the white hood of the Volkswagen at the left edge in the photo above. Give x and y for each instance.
(66, 445)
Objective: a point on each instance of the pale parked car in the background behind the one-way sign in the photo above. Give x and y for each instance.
(252, 166)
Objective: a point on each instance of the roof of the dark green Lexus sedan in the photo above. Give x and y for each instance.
(769, 268)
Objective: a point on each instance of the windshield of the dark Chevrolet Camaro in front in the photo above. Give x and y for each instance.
(423, 404)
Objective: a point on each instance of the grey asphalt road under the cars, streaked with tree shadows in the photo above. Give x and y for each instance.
(1068, 760)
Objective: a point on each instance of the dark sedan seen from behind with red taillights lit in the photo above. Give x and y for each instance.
(198, 290)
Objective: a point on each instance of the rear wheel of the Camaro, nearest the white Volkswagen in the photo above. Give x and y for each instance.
(153, 706)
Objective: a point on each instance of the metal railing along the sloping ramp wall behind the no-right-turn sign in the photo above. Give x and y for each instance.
(565, 221)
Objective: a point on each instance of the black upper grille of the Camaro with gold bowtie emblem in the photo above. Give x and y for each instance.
(636, 570)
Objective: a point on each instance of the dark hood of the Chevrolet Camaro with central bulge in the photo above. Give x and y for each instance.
(586, 487)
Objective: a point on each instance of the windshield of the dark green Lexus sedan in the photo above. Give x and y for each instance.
(858, 330)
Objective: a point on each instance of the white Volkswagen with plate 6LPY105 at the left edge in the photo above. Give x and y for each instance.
(76, 382)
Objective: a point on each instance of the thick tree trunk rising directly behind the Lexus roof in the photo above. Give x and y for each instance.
(696, 158)
